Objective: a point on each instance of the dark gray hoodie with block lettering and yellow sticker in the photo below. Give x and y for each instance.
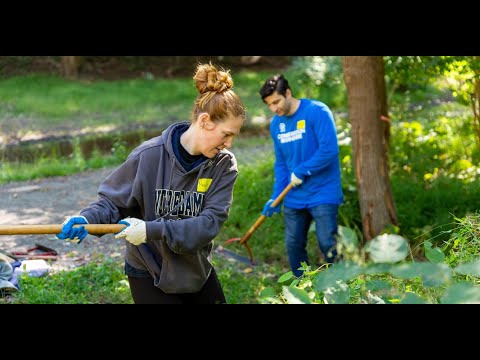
(183, 211)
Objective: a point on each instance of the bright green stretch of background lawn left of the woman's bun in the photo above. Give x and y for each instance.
(54, 100)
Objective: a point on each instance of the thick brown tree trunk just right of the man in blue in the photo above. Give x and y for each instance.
(367, 106)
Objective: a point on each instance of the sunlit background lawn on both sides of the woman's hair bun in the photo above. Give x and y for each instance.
(39, 103)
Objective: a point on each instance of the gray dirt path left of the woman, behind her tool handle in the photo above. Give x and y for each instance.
(48, 201)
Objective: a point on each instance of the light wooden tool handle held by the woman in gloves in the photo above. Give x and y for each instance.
(94, 229)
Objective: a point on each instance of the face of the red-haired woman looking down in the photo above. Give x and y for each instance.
(218, 136)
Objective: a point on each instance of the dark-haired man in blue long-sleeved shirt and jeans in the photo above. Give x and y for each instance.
(306, 155)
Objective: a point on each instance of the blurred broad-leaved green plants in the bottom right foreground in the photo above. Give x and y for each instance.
(385, 278)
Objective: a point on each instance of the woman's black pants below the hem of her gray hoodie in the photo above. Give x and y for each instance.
(145, 292)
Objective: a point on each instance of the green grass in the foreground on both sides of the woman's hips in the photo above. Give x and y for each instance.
(102, 281)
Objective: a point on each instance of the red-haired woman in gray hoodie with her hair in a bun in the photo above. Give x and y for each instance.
(174, 193)
